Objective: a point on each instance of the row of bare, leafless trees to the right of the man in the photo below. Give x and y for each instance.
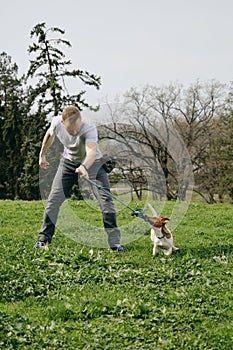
(174, 140)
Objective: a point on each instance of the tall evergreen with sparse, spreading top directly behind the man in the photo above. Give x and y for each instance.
(48, 72)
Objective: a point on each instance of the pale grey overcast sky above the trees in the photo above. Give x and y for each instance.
(130, 42)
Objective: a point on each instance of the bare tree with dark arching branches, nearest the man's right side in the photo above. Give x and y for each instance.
(149, 139)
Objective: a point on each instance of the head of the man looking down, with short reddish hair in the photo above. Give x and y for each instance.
(71, 118)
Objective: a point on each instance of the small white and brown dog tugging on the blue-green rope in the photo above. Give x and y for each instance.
(161, 236)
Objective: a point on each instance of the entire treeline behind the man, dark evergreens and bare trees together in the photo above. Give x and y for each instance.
(167, 140)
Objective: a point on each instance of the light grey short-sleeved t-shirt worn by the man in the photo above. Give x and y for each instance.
(74, 146)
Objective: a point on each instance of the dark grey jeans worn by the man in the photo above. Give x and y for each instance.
(63, 181)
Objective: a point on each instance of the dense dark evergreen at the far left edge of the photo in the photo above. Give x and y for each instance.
(12, 112)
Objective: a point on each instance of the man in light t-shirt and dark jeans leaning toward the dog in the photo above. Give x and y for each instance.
(81, 157)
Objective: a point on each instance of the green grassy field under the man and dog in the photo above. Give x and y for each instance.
(73, 296)
